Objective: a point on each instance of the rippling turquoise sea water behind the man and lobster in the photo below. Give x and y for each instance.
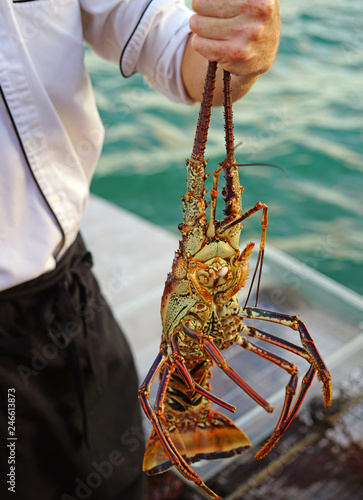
(305, 114)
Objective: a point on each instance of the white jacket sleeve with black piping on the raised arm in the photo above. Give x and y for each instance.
(144, 36)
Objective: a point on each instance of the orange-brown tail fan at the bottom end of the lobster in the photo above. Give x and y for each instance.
(205, 435)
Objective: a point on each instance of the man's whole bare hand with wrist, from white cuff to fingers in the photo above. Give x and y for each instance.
(242, 35)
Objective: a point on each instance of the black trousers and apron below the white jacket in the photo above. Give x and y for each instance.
(70, 423)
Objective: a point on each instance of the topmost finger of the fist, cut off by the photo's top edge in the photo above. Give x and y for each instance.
(232, 8)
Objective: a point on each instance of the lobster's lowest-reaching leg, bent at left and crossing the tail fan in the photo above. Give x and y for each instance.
(155, 415)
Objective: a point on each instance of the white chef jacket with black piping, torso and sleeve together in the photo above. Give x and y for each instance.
(50, 131)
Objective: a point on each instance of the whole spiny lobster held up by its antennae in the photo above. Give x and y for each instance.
(201, 317)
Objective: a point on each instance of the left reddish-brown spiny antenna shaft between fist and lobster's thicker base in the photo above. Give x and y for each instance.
(200, 139)
